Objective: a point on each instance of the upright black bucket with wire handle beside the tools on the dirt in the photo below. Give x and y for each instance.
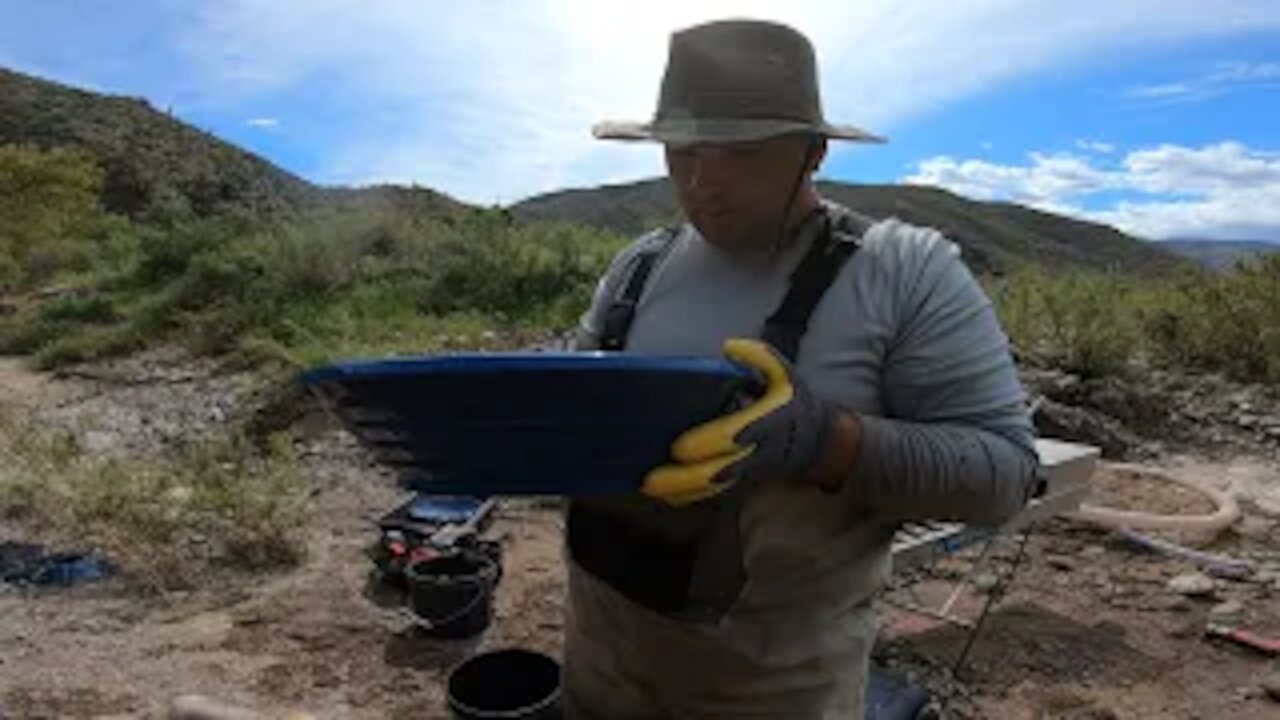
(452, 595)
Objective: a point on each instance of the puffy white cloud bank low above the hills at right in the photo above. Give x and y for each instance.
(1226, 190)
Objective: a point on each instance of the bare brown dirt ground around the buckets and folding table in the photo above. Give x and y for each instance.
(1087, 628)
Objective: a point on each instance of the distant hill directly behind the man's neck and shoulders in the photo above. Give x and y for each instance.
(995, 236)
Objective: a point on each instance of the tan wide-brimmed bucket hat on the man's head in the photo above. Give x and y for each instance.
(734, 81)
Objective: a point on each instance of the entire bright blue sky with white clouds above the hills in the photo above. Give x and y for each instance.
(1159, 117)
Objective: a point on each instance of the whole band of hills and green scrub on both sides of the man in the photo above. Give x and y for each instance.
(125, 230)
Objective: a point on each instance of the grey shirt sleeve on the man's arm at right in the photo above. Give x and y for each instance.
(957, 441)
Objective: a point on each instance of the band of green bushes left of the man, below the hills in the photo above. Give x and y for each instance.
(364, 281)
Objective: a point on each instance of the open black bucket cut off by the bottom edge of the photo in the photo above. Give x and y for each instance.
(511, 685)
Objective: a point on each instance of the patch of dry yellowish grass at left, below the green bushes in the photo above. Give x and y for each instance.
(166, 523)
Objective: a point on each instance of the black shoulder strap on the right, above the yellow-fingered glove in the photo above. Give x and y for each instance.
(810, 282)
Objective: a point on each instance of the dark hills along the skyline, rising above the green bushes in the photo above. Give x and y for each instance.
(158, 168)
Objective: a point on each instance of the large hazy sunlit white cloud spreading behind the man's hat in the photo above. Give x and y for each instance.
(495, 101)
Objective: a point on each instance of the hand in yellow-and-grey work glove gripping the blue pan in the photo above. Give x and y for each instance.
(789, 434)
